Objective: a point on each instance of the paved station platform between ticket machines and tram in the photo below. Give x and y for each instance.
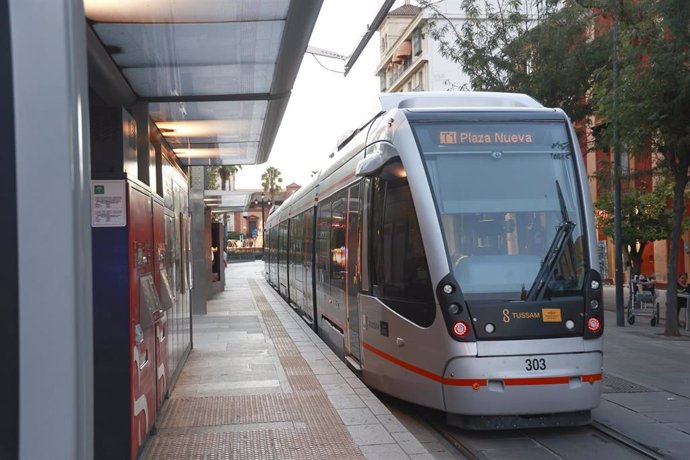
(259, 384)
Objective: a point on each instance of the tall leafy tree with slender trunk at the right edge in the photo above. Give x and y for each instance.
(652, 102)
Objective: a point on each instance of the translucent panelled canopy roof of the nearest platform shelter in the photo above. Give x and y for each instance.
(216, 75)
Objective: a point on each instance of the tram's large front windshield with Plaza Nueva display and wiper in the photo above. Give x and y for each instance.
(510, 206)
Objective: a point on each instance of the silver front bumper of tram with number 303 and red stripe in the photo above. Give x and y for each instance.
(523, 385)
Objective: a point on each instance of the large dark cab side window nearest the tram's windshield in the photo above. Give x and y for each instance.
(400, 275)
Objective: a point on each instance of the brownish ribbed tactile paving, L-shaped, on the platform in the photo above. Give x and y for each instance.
(299, 424)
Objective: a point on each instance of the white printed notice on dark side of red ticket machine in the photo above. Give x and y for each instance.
(108, 203)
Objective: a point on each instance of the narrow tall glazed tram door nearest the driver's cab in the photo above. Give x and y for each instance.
(353, 271)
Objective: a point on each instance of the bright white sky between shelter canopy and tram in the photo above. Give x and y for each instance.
(324, 104)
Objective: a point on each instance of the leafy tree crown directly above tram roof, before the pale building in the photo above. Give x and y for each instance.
(537, 47)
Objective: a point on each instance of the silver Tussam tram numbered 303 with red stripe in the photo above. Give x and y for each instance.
(448, 255)
